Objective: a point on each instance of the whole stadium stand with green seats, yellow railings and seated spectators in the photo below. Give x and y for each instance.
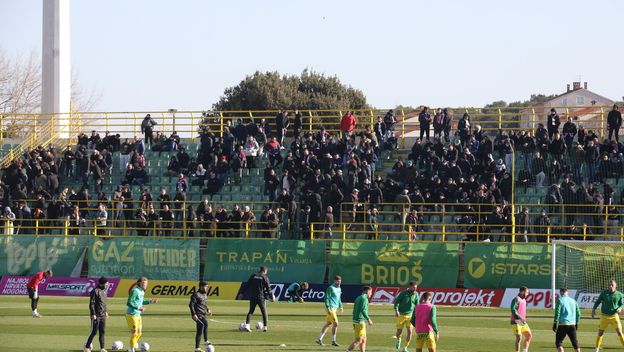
(314, 175)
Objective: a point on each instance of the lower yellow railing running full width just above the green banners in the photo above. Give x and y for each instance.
(352, 231)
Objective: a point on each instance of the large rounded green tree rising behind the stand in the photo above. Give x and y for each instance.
(308, 91)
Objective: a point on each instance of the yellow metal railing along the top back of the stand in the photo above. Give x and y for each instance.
(188, 123)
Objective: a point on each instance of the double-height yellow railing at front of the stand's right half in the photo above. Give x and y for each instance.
(471, 221)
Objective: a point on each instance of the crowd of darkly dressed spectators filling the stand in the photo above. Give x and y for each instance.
(327, 177)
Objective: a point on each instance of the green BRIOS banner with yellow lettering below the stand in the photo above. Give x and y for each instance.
(395, 264)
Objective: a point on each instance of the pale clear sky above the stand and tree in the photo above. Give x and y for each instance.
(156, 55)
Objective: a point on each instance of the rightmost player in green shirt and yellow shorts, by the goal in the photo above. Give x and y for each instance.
(612, 303)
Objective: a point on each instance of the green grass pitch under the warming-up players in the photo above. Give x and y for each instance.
(168, 327)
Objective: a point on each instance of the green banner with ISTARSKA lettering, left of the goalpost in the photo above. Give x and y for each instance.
(506, 265)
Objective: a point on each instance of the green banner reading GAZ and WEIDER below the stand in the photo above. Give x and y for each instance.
(156, 258)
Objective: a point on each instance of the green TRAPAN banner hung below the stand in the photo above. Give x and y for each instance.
(236, 260)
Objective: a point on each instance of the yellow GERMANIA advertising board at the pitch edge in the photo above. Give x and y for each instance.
(174, 288)
